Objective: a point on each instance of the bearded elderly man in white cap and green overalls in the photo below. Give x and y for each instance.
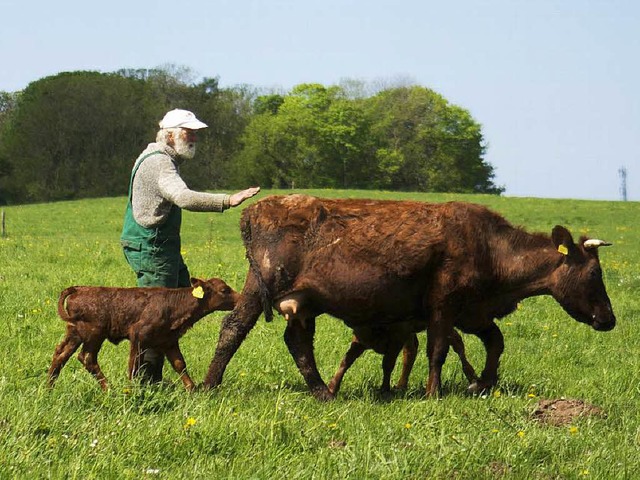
(157, 194)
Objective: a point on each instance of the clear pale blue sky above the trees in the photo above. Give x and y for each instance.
(554, 83)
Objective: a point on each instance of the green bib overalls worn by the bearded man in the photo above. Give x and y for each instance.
(154, 253)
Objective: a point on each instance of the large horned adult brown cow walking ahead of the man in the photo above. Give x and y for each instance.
(375, 263)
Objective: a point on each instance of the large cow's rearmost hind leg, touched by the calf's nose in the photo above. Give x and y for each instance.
(235, 328)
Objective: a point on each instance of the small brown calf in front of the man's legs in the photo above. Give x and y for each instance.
(149, 317)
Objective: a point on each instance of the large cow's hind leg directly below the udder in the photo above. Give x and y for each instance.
(299, 339)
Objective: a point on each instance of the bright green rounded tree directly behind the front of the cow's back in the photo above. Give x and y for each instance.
(312, 137)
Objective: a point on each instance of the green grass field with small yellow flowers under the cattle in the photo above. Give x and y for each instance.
(262, 423)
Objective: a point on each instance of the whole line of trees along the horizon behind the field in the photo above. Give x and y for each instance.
(76, 135)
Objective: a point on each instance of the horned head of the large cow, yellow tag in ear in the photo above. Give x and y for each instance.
(577, 283)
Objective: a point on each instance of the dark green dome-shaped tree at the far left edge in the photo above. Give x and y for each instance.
(75, 134)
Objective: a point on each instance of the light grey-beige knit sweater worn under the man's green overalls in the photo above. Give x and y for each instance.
(157, 185)
